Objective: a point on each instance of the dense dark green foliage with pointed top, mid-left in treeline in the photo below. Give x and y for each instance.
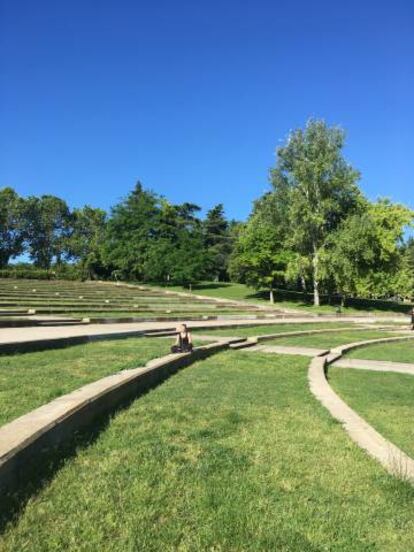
(149, 239)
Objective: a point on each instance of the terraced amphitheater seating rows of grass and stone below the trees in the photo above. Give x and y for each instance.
(79, 299)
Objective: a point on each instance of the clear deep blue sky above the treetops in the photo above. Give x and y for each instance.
(192, 98)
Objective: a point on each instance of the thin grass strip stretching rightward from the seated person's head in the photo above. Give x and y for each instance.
(264, 329)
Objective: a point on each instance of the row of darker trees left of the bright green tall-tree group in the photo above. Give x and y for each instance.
(144, 237)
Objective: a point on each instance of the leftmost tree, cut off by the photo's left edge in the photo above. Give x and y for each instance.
(11, 226)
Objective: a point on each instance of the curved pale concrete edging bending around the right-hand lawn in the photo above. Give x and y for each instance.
(392, 458)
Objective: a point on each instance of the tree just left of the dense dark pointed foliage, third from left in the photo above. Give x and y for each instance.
(86, 240)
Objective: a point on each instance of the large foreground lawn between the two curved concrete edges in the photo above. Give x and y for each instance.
(232, 453)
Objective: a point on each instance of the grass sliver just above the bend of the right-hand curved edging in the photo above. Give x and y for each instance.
(331, 339)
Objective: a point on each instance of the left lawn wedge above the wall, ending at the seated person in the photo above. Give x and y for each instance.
(29, 380)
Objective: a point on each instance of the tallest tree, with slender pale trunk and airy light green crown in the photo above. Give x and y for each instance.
(318, 188)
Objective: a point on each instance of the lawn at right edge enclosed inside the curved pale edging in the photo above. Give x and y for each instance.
(384, 400)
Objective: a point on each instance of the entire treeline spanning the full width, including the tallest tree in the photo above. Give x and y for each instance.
(312, 231)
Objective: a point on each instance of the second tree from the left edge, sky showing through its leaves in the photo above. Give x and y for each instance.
(47, 228)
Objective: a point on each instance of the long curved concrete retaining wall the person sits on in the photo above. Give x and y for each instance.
(25, 441)
